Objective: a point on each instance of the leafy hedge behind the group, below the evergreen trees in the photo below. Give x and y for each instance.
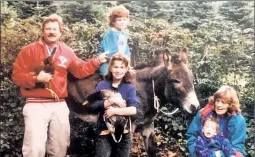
(145, 37)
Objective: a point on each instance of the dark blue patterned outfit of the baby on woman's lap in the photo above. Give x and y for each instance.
(205, 147)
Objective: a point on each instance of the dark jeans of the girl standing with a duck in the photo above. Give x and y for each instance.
(106, 147)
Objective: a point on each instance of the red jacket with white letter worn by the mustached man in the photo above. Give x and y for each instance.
(64, 61)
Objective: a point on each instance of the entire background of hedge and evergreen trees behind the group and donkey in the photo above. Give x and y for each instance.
(219, 36)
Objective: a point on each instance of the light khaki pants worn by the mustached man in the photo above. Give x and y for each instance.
(46, 127)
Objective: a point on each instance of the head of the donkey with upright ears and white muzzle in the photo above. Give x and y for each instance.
(179, 82)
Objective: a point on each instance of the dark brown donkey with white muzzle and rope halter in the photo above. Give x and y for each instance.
(171, 82)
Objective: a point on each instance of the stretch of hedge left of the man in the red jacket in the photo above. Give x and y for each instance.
(12, 124)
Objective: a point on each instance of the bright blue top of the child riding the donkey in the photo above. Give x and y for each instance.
(113, 42)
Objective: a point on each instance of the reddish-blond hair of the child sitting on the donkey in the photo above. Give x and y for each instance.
(117, 11)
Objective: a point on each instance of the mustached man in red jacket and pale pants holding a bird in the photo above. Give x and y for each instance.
(46, 113)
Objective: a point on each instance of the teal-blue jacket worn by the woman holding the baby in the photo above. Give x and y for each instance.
(233, 127)
